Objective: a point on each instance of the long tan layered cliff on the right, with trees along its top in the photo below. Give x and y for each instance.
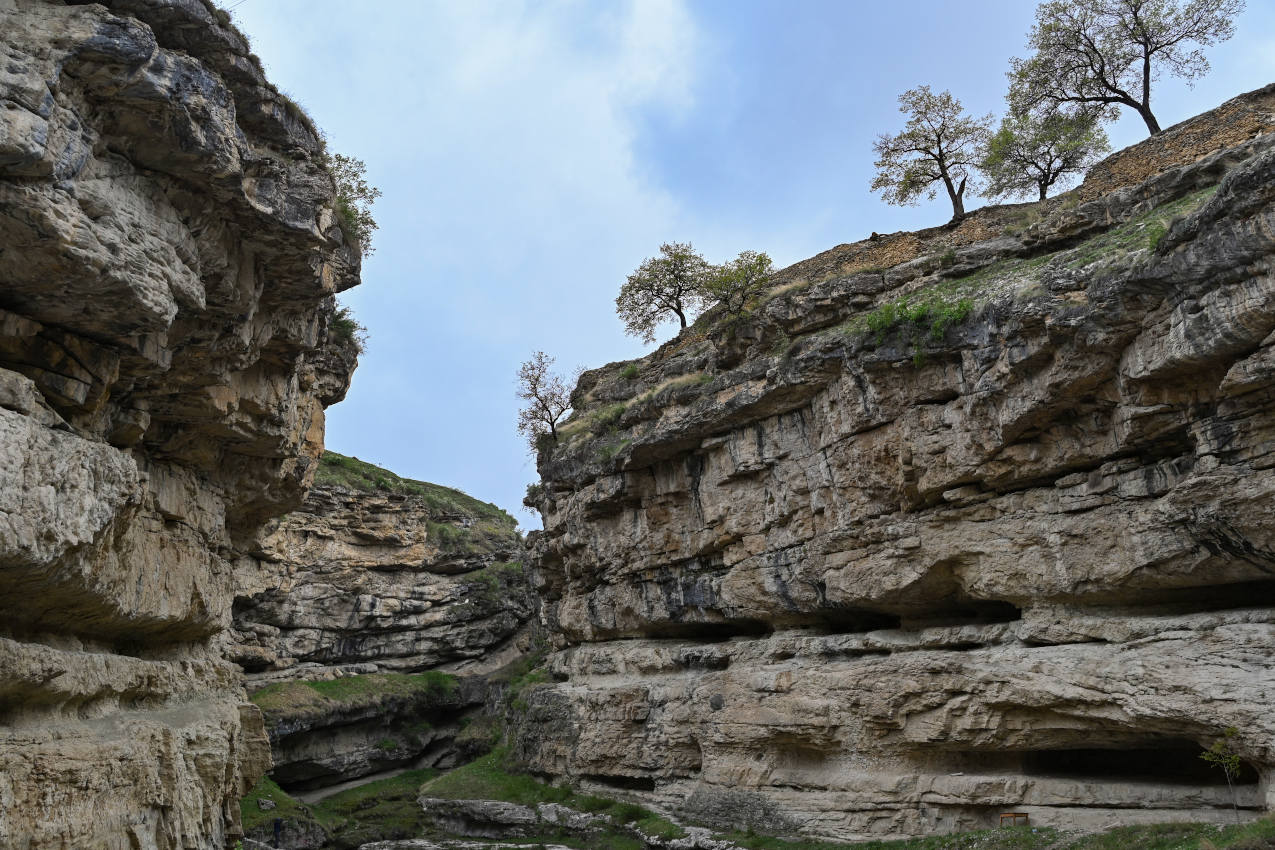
(956, 523)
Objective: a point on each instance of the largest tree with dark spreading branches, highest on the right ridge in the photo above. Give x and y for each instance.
(1109, 53)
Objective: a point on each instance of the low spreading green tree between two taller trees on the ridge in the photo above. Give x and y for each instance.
(1032, 152)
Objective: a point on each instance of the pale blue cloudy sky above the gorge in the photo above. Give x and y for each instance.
(532, 155)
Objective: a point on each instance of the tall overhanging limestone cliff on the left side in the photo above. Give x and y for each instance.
(169, 257)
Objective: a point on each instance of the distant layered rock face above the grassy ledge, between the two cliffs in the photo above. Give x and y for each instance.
(381, 574)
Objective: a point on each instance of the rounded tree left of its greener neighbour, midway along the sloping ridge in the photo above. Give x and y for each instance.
(670, 285)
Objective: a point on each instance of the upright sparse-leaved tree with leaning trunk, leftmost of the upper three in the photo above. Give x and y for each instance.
(939, 146)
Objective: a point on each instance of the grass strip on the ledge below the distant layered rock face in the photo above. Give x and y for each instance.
(296, 699)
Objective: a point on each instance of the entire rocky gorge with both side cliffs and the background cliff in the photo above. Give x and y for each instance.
(948, 524)
